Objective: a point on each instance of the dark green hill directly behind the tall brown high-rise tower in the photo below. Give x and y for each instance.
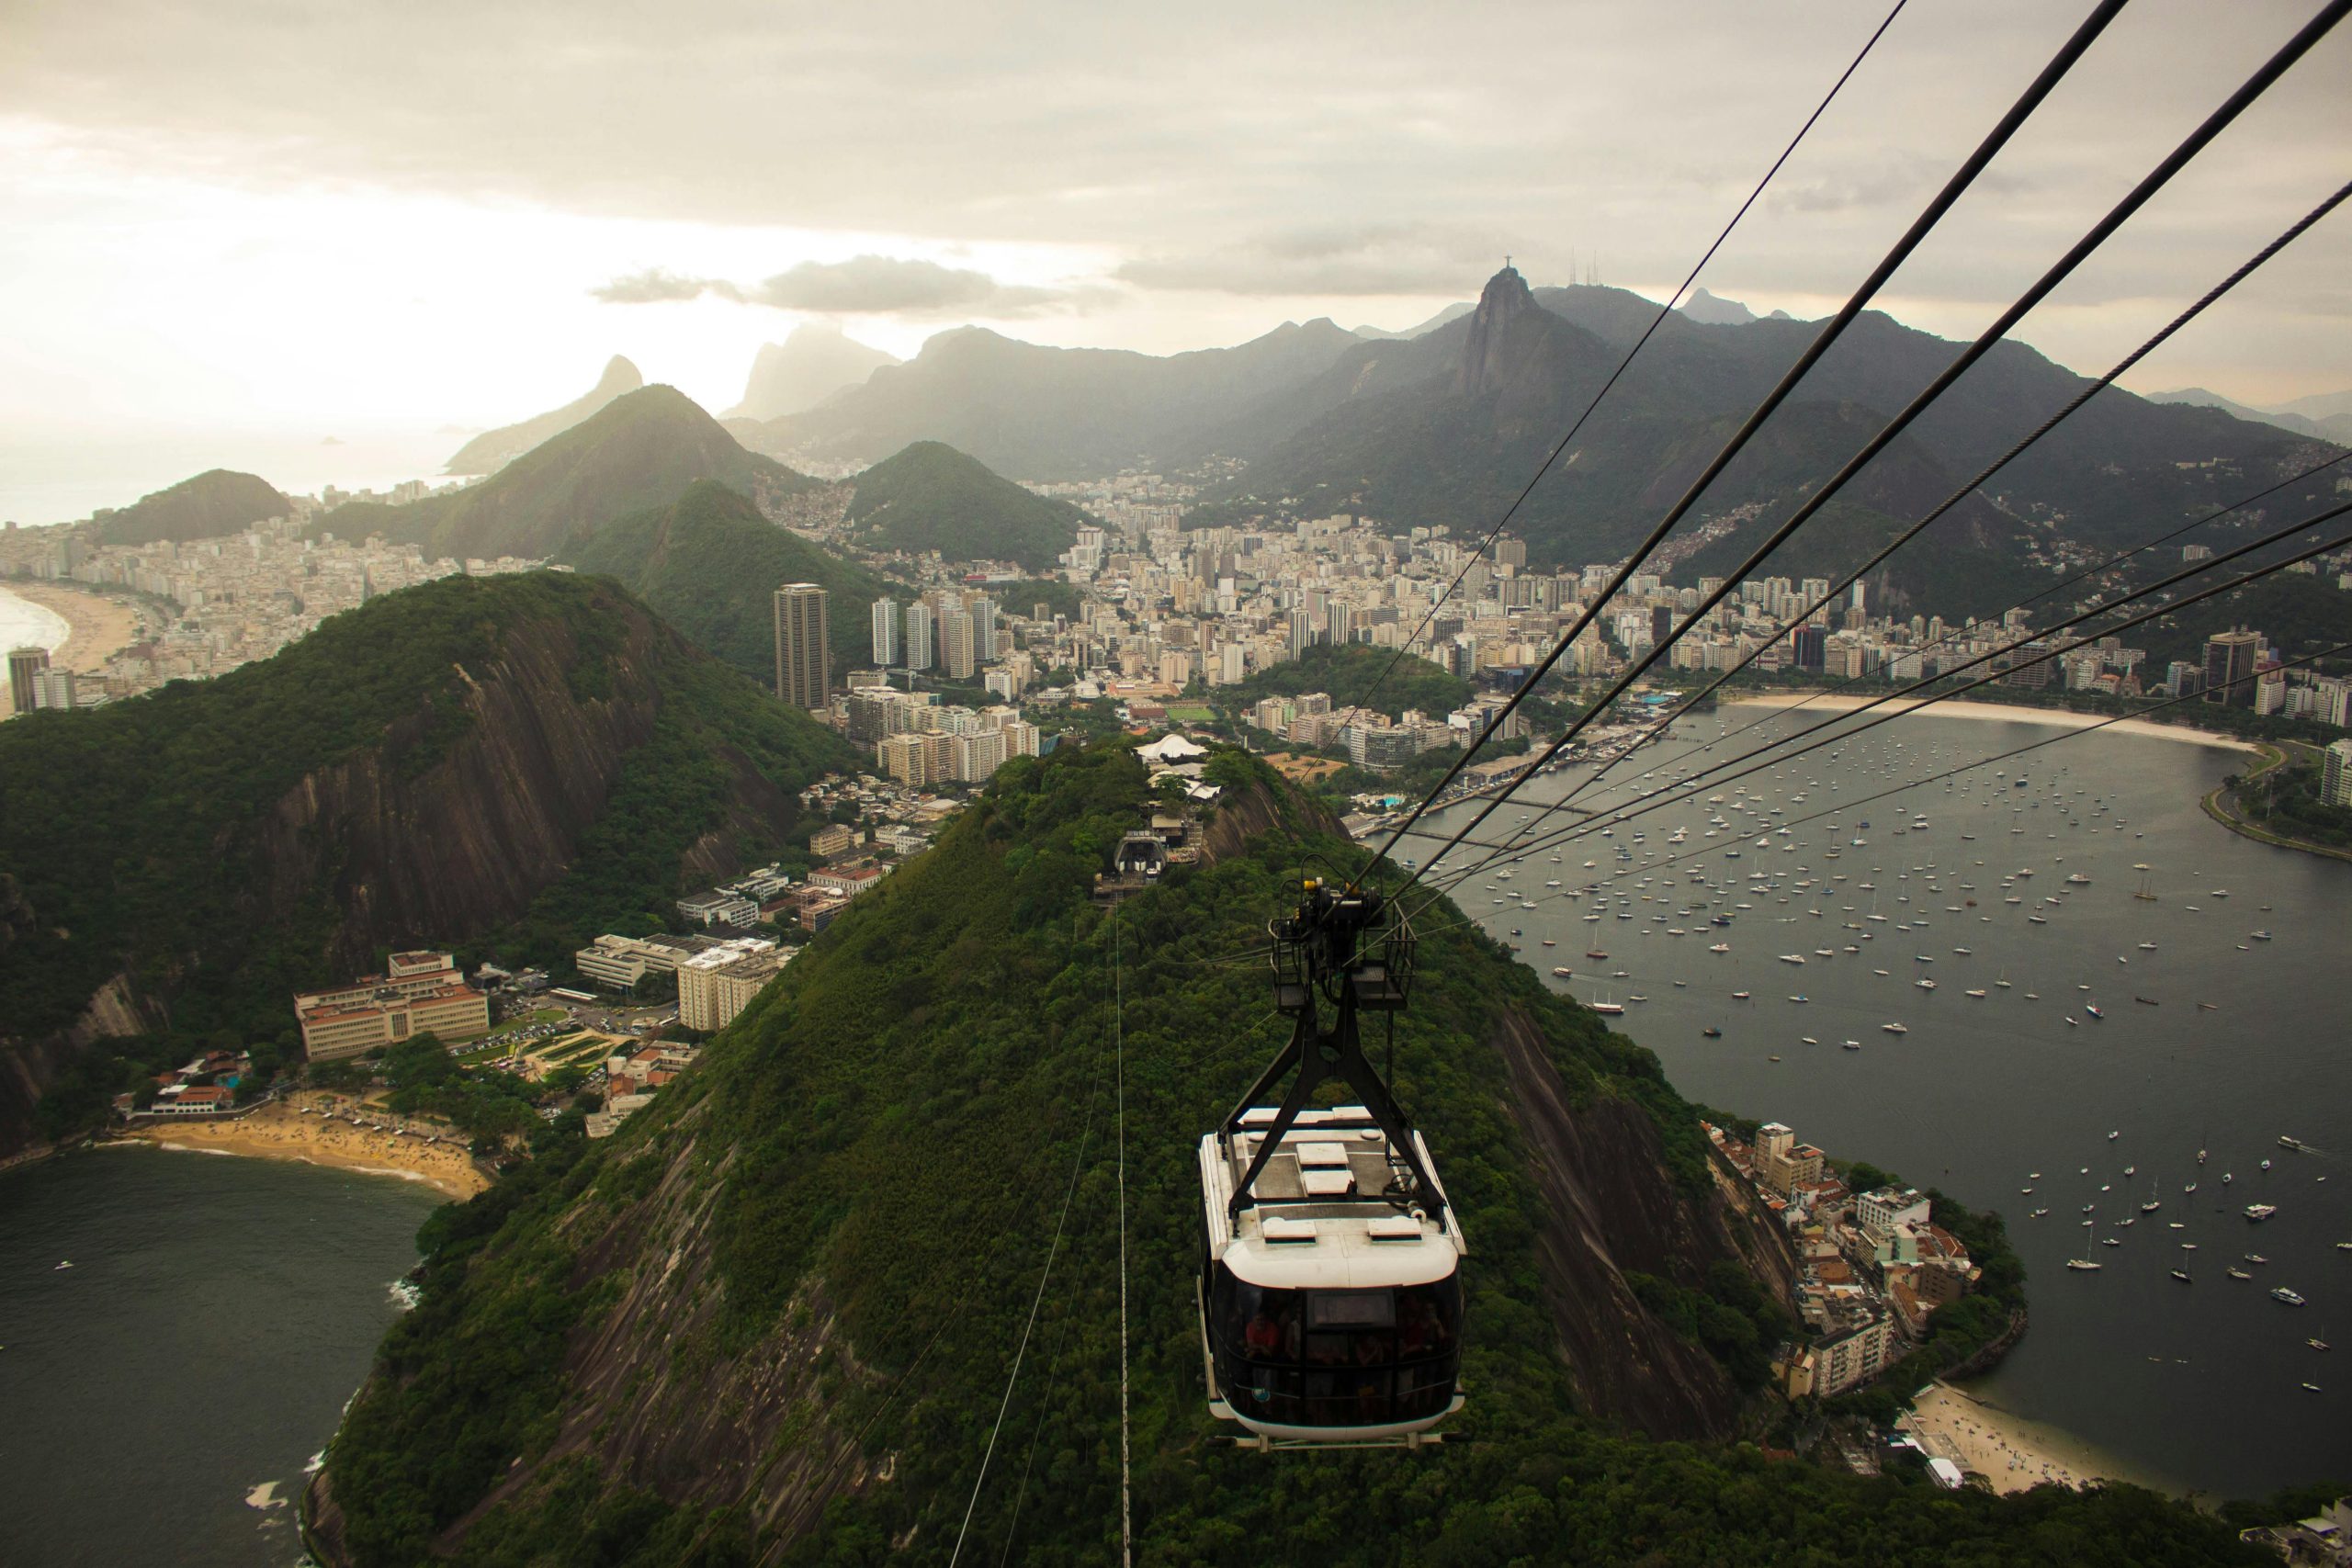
(711, 565)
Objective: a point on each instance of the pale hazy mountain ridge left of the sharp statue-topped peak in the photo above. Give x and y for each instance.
(1057, 413)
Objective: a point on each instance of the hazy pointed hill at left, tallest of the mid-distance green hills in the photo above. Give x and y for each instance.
(636, 455)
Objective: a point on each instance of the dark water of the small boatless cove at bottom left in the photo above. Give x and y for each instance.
(163, 1398)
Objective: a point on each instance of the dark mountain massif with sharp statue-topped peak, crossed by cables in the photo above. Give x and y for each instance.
(1448, 427)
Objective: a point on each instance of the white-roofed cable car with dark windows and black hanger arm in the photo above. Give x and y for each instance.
(1330, 1289)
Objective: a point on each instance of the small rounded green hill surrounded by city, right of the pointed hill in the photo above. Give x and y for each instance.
(933, 497)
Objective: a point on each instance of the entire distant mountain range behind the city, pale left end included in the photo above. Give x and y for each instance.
(1443, 427)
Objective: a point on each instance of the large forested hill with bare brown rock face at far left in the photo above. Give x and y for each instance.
(516, 760)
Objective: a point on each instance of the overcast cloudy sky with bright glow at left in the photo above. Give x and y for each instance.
(338, 213)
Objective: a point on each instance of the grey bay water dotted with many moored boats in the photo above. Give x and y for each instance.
(2193, 1383)
